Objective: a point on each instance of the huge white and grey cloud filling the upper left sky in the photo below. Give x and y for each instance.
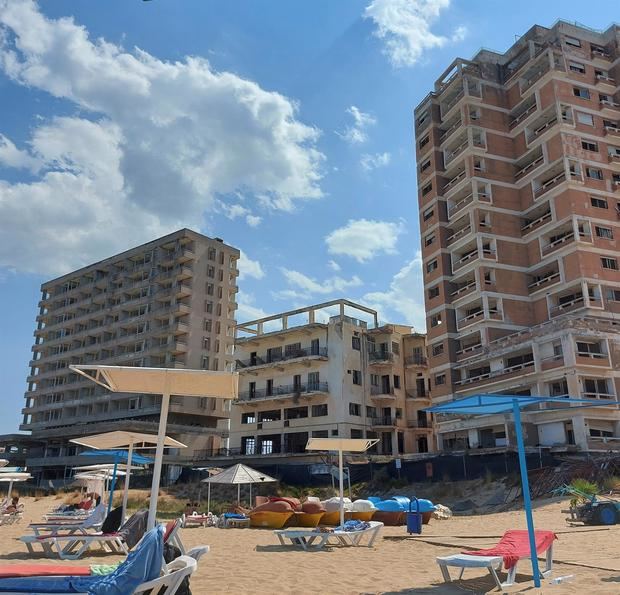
(154, 146)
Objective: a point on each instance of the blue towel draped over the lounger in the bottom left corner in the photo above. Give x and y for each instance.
(142, 565)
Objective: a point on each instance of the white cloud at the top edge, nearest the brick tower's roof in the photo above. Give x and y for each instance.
(405, 28)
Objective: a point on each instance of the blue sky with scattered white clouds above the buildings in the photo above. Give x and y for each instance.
(282, 127)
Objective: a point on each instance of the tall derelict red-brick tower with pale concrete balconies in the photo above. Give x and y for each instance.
(518, 161)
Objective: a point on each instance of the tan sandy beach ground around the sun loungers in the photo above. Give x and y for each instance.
(252, 561)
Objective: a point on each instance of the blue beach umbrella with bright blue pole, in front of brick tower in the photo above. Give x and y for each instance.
(489, 404)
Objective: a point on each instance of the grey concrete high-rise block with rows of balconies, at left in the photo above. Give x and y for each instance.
(167, 303)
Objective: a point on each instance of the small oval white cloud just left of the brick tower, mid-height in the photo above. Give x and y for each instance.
(364, 239)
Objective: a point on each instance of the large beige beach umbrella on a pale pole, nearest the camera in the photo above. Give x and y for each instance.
(165, 382)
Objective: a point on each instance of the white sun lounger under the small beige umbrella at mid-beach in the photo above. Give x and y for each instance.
(348, 535)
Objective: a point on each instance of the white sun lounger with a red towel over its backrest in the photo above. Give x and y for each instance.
(513, 546)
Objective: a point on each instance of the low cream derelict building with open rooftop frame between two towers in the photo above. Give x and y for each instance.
(307, 374)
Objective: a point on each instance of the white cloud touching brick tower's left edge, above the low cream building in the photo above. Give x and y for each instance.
(404, 300)
